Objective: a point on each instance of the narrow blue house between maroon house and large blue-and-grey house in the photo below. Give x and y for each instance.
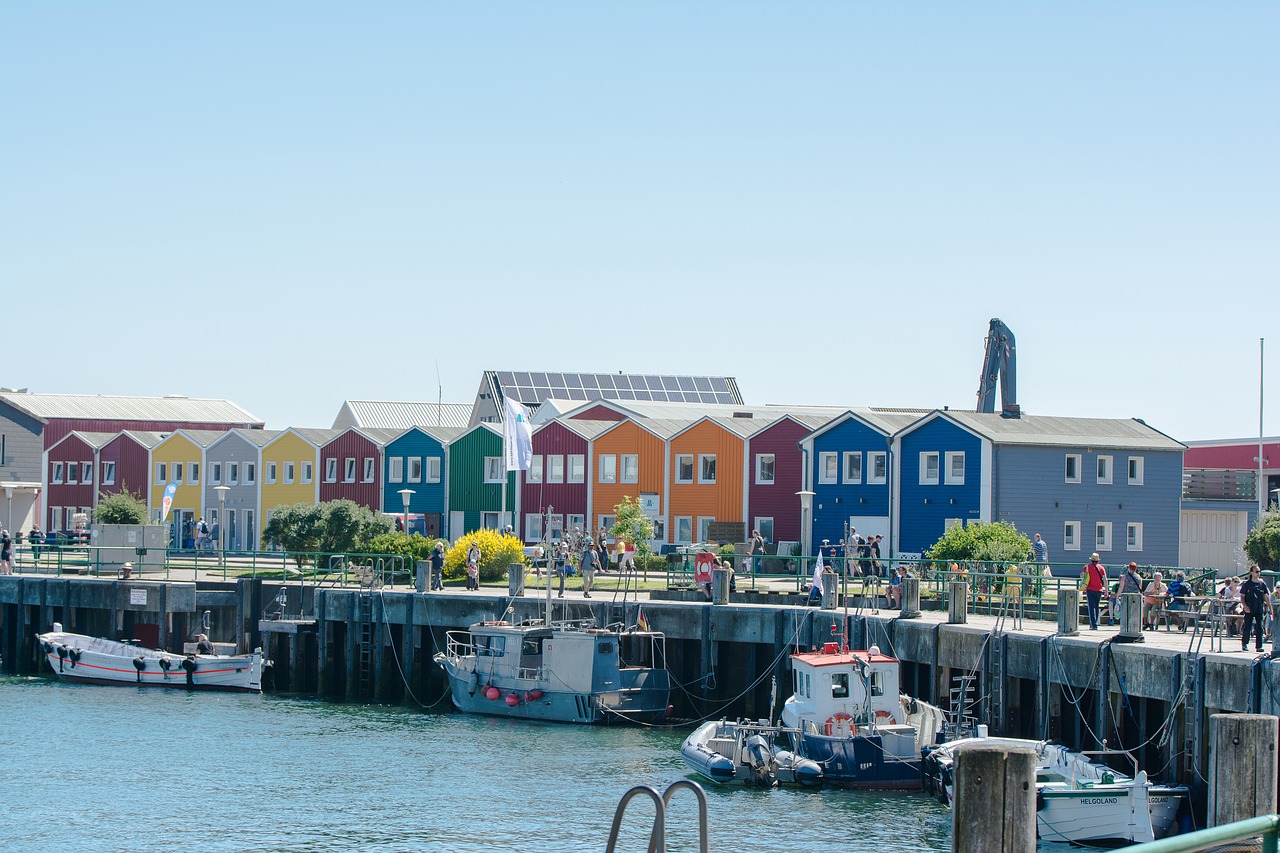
(849, 472)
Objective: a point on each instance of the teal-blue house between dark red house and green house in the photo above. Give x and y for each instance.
(415, 460)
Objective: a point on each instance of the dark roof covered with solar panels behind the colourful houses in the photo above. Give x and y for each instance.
(534, 387)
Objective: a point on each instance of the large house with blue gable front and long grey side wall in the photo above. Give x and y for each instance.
(1112, 486)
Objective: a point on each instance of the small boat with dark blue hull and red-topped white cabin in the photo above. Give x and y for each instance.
(853, 720)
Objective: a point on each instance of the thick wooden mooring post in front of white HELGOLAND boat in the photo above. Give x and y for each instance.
(995, 800)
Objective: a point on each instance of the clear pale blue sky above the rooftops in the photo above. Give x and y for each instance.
(294, 204)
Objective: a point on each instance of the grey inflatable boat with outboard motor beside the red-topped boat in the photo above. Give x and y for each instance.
(749, 754)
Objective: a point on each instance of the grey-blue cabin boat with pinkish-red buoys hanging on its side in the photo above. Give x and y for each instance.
(563, 672)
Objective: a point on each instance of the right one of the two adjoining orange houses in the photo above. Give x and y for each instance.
(707, 462)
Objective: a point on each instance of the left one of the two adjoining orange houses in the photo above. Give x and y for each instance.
(628, 460)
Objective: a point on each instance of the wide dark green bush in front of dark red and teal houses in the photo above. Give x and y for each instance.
(332, 527)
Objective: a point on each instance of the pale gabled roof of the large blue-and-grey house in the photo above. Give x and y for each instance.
(1059, 432)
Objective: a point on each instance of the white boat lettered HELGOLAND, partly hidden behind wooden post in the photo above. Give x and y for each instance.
(1080, 800)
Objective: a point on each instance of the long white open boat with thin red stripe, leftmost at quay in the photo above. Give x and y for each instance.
(94, 660)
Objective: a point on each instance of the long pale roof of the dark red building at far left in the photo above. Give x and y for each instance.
(102, 408)
